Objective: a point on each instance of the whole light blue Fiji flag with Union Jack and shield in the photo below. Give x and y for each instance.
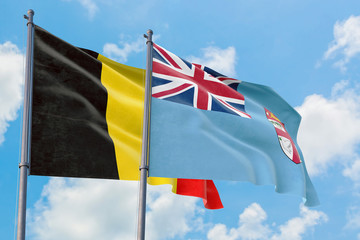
(205, 125)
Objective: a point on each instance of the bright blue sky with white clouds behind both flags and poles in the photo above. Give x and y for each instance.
(308, 51)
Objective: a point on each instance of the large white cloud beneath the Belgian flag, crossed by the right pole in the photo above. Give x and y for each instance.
(103, 209)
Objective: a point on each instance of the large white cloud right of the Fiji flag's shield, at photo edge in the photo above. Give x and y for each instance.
(330, 128)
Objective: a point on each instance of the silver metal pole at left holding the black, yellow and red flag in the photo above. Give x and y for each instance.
(26, 131)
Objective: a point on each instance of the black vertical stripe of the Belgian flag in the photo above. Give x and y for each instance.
(69, 130)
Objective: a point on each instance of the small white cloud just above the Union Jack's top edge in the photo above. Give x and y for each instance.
(221, 60)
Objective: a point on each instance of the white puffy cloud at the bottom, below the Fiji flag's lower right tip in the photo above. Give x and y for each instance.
(252, 226)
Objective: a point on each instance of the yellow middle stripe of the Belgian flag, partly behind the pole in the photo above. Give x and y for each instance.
(124, 114)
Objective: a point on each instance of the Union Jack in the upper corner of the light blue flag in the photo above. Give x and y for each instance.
(177, 80)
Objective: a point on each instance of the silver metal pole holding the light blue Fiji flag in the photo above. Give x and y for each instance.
(145, 139)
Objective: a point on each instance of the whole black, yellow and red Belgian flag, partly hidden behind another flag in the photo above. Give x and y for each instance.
(87, 118)
